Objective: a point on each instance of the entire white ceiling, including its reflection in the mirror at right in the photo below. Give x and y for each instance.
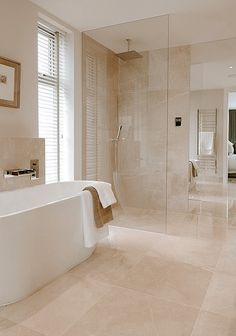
(191, 22)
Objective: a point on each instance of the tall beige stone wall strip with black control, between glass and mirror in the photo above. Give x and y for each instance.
(178, 137)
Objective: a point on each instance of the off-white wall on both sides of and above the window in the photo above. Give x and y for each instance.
(18, 41)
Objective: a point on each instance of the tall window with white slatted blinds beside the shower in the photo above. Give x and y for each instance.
(52, 98)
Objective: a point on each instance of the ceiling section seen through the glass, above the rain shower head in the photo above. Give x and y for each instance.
(152, 33)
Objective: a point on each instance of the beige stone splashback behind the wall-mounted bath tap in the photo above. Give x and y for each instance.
(17, 153)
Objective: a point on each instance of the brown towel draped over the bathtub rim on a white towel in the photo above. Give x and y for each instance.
(101, 215)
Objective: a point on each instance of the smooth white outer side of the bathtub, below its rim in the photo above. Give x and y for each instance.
(38, 245)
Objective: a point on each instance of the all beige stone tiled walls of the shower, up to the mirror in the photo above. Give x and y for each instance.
(140, 88)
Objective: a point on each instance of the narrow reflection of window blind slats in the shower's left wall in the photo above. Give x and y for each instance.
(91, 118)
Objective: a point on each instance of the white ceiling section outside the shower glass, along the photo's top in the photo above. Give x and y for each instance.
(90, 14)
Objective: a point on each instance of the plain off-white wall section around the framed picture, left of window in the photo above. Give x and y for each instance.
(18, 36)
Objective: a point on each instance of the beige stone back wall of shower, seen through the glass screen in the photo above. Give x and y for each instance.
(143, 114)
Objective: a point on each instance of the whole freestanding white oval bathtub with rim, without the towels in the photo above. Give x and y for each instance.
(41, 236)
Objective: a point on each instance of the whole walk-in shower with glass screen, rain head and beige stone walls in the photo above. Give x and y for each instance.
(129, 134)
